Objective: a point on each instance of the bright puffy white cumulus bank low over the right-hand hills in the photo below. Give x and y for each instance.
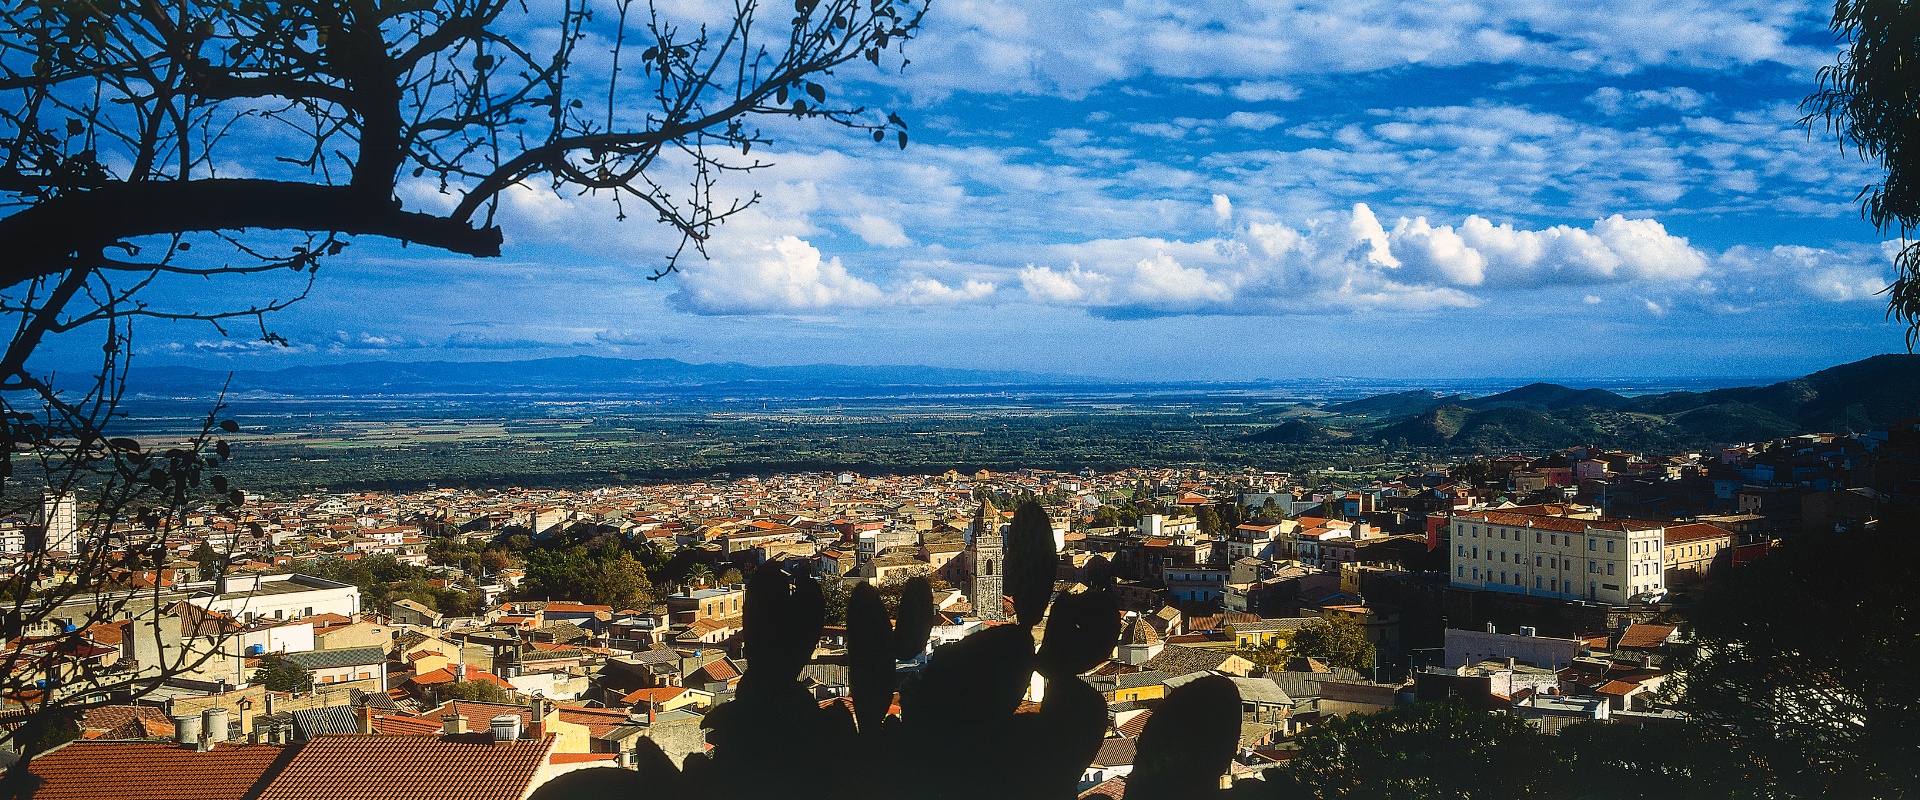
(1355, 262)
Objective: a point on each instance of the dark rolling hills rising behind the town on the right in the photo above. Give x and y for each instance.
(1848, 398)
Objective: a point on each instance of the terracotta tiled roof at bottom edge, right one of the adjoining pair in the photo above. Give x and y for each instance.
(416, 768)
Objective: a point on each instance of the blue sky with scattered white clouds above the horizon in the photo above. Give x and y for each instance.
(1214, 191)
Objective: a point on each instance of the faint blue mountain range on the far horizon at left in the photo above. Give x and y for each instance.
(581, 373)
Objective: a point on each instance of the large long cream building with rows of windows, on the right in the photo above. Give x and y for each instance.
(1537, 555)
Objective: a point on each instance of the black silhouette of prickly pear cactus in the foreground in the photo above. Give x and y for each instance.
(961, 734)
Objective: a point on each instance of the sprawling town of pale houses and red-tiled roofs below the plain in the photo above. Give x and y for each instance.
(500, 640)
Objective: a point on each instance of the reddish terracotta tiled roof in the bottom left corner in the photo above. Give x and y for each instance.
(101, 770)
